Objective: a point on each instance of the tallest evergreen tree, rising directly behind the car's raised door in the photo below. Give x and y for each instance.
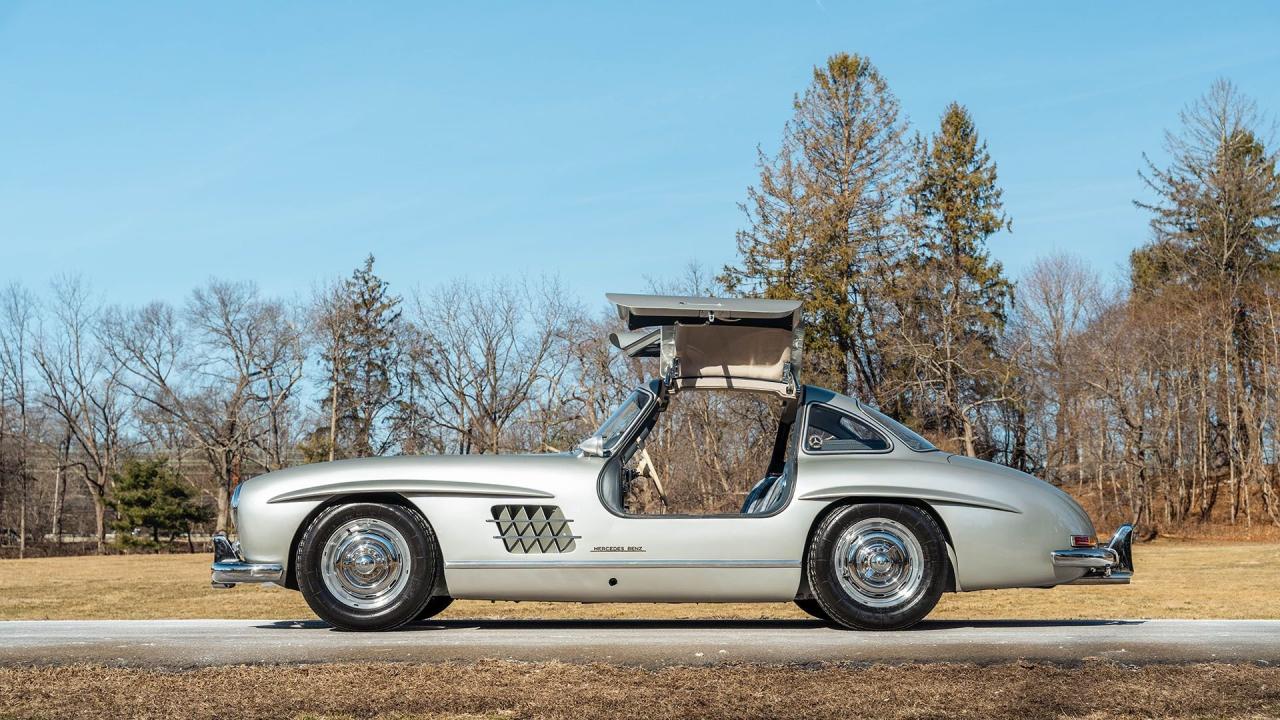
(820, 222)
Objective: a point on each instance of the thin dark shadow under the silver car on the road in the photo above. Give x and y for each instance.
(691, 625)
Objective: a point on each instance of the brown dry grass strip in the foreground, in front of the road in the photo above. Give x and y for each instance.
(559, 691)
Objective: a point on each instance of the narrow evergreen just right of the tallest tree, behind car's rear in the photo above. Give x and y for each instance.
(956, 297)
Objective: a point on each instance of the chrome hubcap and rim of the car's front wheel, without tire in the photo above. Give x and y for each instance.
(365, 564)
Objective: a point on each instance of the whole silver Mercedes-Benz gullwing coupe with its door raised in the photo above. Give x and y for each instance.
(858, 520)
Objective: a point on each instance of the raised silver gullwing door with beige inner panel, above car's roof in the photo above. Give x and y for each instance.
(715, 343)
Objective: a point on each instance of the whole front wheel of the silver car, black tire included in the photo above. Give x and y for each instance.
(360, 532)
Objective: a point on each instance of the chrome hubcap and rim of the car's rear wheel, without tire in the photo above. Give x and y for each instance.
(880, 563)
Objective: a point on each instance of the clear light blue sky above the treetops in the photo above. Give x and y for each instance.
(150, 147)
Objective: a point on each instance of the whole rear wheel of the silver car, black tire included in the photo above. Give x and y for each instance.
(904, 560)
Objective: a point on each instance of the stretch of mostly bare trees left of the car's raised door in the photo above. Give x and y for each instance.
(230, 385)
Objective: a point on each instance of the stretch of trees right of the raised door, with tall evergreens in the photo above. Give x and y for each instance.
(1156, 398)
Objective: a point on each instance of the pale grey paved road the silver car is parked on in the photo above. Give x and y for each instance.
(186, 644)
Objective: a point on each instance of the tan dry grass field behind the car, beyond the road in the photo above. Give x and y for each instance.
(1174, 580)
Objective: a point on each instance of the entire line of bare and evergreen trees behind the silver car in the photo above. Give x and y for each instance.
(1155, 399)
